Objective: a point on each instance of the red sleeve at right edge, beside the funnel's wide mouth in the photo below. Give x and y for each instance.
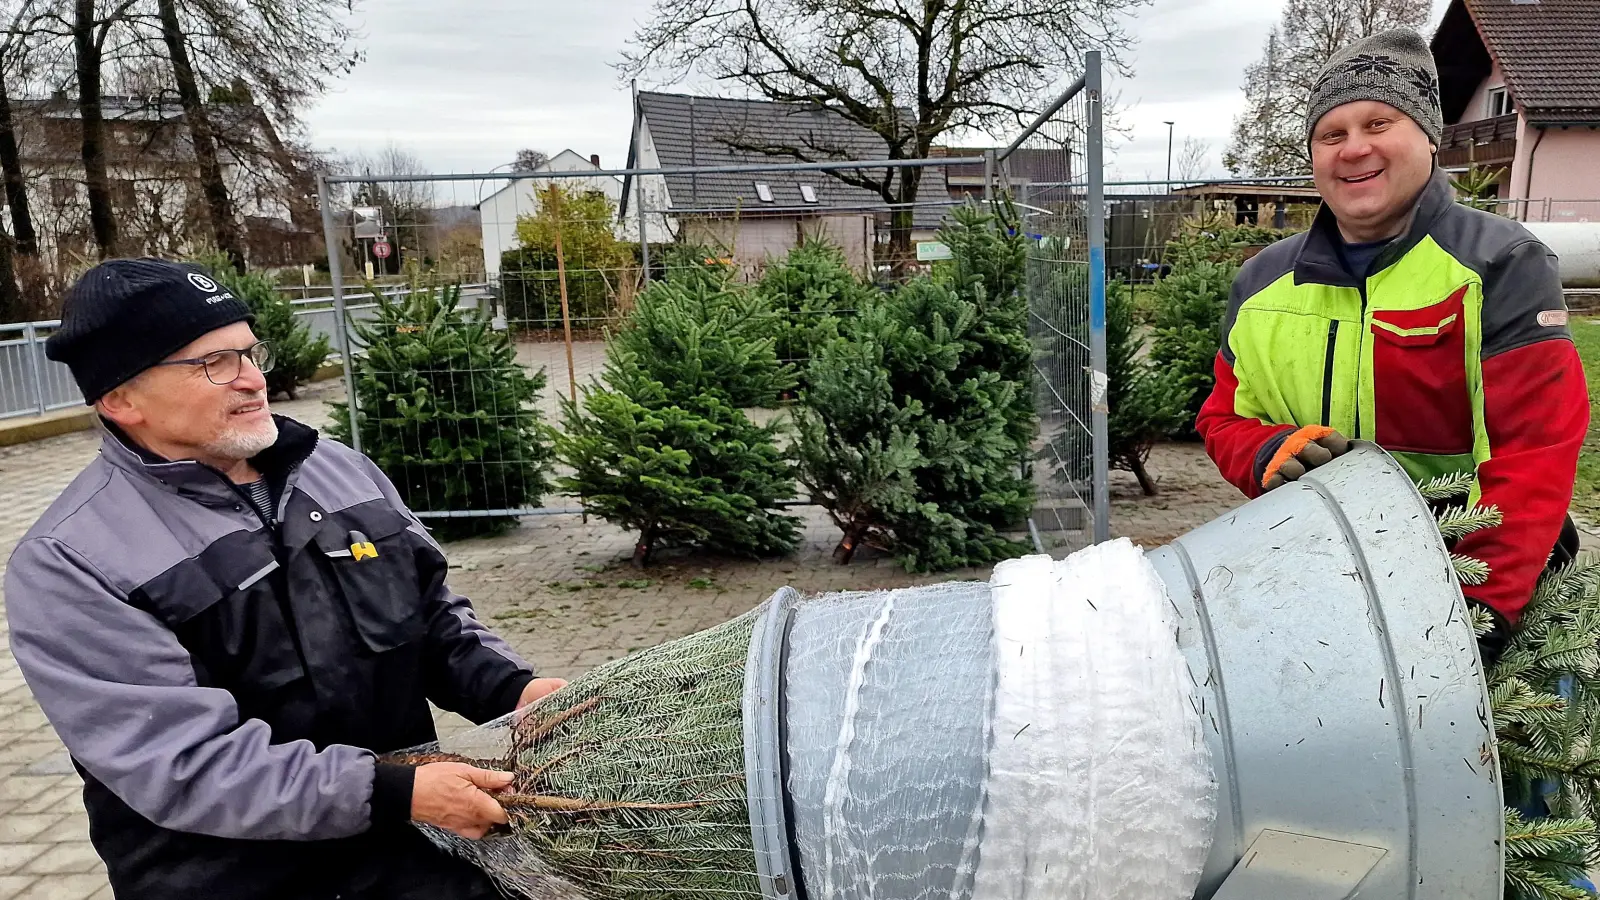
(1537, 414)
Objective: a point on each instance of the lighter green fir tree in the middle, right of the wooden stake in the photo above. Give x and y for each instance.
(662, 444)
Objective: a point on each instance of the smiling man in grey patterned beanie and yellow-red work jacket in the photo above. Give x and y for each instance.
(1412, 321)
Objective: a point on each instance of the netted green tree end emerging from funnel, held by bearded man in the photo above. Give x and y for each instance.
(630, 781)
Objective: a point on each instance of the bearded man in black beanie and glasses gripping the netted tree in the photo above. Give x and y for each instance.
(226, 619)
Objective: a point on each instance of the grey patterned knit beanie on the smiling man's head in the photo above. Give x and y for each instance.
(1394, 66)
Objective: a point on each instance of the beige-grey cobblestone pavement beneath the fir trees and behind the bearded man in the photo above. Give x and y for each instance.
(559, 589)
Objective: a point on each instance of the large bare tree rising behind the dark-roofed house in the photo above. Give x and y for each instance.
(905, 73)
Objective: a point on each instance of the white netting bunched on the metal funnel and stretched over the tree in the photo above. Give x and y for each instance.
(1033, 737)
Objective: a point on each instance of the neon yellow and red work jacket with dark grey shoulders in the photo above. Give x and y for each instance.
(1454, 355)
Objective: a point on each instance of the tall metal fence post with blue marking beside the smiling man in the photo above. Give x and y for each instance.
(1098, 382)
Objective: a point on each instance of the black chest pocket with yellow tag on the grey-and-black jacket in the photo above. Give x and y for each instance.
(374, 561)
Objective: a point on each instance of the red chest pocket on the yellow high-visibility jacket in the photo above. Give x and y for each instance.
(1420, 379)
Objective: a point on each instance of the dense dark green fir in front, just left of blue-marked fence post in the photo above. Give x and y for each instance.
(908, 443)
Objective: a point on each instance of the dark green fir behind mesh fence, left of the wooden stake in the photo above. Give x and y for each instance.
(447, 412)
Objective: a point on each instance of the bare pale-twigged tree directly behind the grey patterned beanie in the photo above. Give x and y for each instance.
(1270, 137)
